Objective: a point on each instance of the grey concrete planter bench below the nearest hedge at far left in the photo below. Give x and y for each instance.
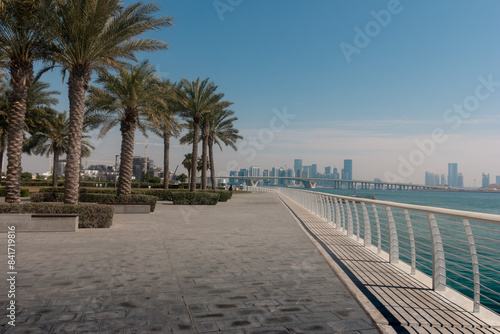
(27, 222)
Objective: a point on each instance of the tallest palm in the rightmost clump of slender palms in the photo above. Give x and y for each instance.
(197, 98)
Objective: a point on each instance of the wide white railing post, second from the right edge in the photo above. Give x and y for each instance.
(438, 259)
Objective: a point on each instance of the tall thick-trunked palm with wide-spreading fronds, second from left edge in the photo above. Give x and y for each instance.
(91, 34)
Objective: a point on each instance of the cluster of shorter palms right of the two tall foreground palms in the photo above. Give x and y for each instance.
(135, 98)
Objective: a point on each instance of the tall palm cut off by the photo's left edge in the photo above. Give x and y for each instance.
(24, 39)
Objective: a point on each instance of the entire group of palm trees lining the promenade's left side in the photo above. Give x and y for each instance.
(83, 37)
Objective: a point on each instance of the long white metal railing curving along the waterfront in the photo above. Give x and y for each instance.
(457, 249)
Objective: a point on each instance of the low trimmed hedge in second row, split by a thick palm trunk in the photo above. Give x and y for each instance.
(97, 198)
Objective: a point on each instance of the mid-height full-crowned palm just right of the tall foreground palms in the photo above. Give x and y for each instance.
(130, 99)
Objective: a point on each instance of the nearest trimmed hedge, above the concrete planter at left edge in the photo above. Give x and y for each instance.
(90, 215)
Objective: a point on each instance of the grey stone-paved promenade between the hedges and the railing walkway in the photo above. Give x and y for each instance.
(244, 266)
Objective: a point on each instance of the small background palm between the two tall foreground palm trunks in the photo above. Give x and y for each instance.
(54, 140)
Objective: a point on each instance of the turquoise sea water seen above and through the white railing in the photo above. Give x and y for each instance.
(458, 267)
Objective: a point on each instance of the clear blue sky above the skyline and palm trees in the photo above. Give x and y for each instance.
(405, 72)
